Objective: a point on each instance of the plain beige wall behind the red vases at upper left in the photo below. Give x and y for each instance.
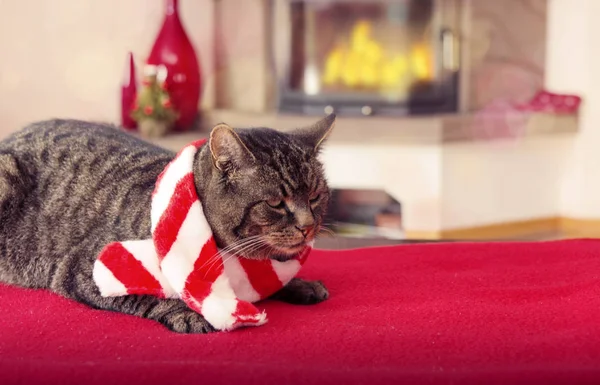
(66, 58)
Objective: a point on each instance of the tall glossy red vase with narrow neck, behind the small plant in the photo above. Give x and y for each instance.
(174, 50)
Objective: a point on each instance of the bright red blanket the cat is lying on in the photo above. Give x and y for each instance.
(506, 313)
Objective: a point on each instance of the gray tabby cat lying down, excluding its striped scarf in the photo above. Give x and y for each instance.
(68, 188)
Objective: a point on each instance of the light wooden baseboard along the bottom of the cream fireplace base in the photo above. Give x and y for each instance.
(551, 227)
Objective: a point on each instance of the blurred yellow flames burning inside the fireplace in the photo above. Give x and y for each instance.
(363, 62)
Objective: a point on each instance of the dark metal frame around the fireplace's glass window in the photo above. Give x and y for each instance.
(443, 98)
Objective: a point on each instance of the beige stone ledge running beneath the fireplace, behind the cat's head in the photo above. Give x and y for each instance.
(389, 131)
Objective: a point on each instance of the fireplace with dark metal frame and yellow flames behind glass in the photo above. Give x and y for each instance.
(366, 57)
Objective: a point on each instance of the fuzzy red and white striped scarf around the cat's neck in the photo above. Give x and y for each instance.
(182, 259)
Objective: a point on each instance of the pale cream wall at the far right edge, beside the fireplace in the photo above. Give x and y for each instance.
(573, 66)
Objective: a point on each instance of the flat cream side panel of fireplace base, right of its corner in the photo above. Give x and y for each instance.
(502, 181)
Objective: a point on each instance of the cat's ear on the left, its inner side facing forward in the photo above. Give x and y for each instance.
(227, 149)
